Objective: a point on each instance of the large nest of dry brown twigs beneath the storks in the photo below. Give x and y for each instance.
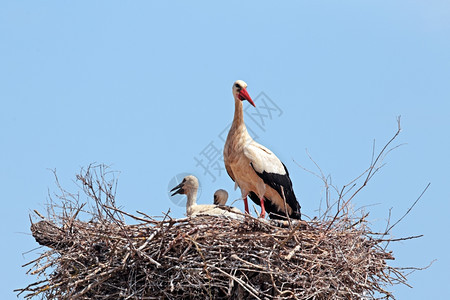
(103, 252)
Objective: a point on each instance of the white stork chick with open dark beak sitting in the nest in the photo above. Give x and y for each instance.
(189, 187)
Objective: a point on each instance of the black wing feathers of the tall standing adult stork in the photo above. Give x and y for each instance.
(276, 181)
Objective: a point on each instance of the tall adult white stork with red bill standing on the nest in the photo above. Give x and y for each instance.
(255, 169)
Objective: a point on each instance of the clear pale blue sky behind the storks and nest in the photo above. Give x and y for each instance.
(145, 86)
